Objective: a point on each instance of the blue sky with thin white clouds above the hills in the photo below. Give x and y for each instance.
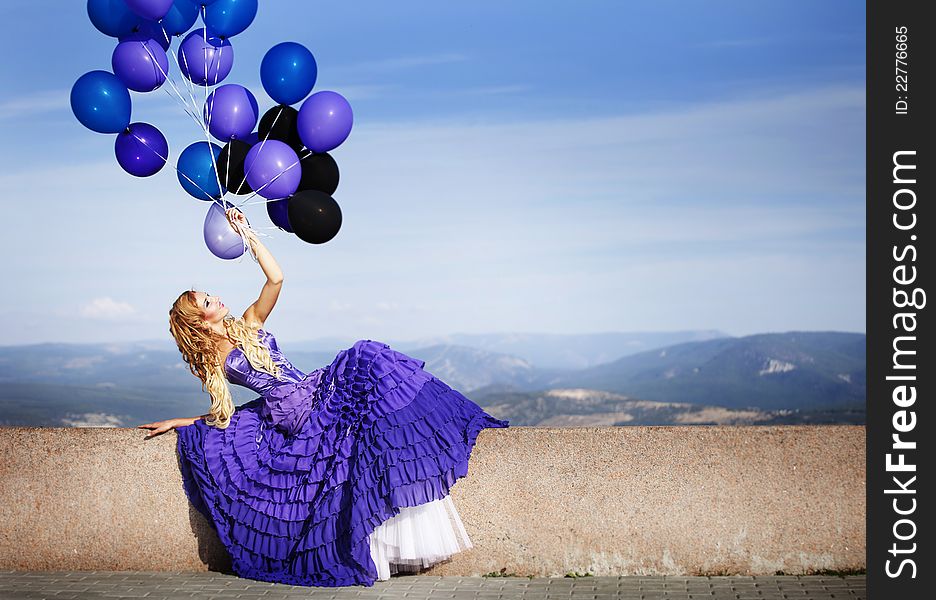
(557, 167)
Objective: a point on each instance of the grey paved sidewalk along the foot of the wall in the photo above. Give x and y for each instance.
(100, 585)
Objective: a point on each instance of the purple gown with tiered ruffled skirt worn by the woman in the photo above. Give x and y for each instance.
(304, 473)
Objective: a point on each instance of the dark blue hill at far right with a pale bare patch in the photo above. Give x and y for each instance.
(793, 370)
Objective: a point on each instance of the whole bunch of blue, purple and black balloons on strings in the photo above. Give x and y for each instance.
(281, 156)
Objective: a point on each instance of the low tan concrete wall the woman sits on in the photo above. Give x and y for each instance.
(536, 501)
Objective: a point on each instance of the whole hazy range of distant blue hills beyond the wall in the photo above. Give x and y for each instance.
(765, 378)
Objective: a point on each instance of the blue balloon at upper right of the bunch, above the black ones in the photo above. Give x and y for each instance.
(288, 72)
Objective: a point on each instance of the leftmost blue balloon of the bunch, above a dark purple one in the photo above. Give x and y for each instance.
(101, 102)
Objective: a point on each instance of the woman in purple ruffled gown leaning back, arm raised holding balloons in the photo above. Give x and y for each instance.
(340, 476)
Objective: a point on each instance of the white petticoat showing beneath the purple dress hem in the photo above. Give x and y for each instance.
(417, 537)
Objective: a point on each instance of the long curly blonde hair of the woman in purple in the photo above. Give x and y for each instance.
(199, 347)
